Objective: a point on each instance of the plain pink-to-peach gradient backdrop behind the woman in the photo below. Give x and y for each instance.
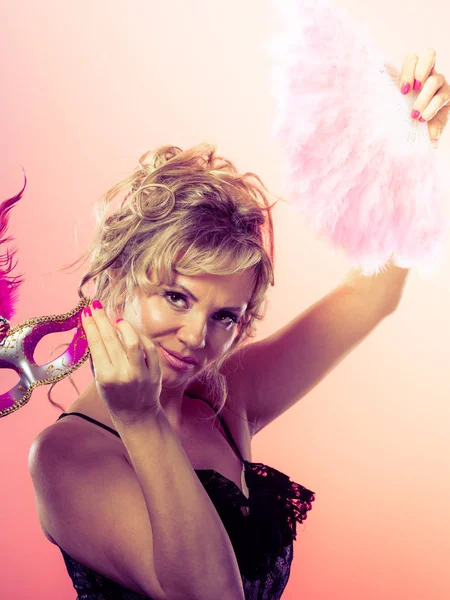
(86, 88)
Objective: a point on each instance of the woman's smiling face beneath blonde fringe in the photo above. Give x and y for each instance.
(199, 321)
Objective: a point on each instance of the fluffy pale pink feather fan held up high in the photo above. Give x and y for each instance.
(363, 174)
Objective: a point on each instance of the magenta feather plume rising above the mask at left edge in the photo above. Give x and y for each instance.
(9, 285)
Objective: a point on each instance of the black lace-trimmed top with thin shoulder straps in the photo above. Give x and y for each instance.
(261, 528)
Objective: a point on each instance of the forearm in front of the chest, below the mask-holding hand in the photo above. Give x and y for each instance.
(193, 555)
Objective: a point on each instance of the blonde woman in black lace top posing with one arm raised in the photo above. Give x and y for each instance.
(145, 491)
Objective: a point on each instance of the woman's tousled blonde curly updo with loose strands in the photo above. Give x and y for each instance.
(188, 211)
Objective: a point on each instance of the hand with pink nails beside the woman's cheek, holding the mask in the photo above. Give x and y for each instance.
(127, 370)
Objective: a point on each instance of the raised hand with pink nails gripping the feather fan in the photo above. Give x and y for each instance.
(433, 102)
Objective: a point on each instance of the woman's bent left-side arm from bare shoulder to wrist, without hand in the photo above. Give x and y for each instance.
(143, 519)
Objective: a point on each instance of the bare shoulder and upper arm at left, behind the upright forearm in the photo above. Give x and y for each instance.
(90, 503)
